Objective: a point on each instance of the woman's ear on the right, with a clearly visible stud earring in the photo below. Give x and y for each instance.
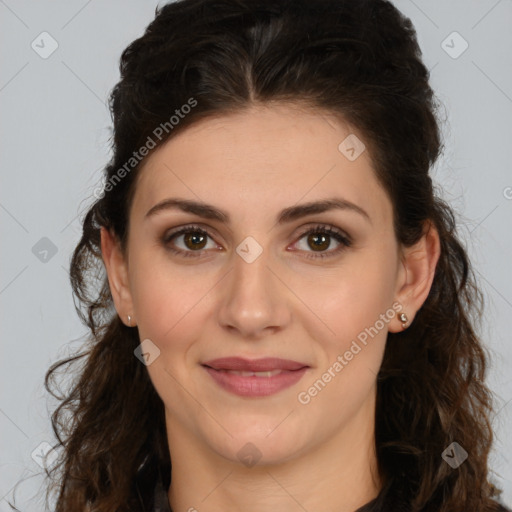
(415, 277)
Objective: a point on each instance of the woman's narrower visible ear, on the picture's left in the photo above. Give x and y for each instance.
(117, 272)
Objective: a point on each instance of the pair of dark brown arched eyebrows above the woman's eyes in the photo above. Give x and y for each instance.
(292, 213)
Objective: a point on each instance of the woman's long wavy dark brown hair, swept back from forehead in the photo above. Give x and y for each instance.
(356, 59)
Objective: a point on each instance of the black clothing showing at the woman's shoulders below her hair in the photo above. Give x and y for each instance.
(156, 499)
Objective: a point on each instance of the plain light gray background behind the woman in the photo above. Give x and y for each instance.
(54, 140)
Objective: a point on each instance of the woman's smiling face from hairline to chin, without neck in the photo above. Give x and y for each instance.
(258, 286)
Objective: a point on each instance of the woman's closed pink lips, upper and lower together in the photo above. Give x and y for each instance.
(253, 386)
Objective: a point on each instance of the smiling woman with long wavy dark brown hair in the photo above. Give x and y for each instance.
(286, 315)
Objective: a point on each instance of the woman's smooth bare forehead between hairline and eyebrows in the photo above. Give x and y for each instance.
(272, 156)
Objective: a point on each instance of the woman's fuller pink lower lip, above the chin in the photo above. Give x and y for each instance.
(253, 385)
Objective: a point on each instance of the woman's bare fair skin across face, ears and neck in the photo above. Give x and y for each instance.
(253, 164)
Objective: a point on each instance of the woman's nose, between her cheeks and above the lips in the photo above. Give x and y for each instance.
(254, 301)
